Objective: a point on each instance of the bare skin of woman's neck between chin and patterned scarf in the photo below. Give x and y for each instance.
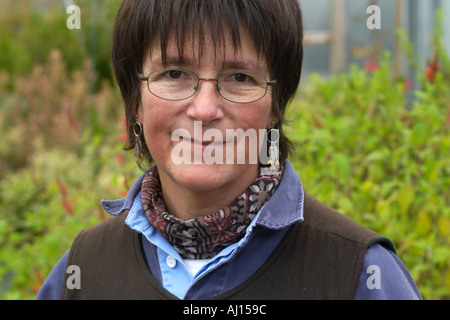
(187, 203)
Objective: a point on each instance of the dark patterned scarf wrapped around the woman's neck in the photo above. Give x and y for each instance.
(206, 236)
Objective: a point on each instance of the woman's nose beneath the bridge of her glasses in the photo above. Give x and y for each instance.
(206, 104)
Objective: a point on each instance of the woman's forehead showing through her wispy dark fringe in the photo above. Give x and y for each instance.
(201, 51)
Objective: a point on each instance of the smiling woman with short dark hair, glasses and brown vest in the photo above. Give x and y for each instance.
(200, 80)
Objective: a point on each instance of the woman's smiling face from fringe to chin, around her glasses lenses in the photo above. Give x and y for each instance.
(164, 120)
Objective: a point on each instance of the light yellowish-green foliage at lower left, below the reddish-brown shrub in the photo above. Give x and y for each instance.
(46, 204)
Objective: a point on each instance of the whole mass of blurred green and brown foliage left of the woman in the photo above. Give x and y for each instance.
(60, 151)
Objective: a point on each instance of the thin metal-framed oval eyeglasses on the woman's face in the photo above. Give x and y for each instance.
(177, 84)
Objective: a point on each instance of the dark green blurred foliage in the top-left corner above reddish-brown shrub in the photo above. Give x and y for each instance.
(27, 36)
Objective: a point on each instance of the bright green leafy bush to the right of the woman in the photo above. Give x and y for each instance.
(362, 151)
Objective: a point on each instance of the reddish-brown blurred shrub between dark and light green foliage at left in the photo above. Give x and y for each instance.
(56, 107)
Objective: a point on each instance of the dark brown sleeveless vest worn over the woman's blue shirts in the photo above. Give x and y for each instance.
(319, 258)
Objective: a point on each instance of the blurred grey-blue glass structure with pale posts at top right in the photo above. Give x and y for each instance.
(337, 35)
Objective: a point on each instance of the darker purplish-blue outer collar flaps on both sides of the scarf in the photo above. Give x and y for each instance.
(289, 196)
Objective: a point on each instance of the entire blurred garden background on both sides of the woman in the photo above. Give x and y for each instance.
(371, 125)
